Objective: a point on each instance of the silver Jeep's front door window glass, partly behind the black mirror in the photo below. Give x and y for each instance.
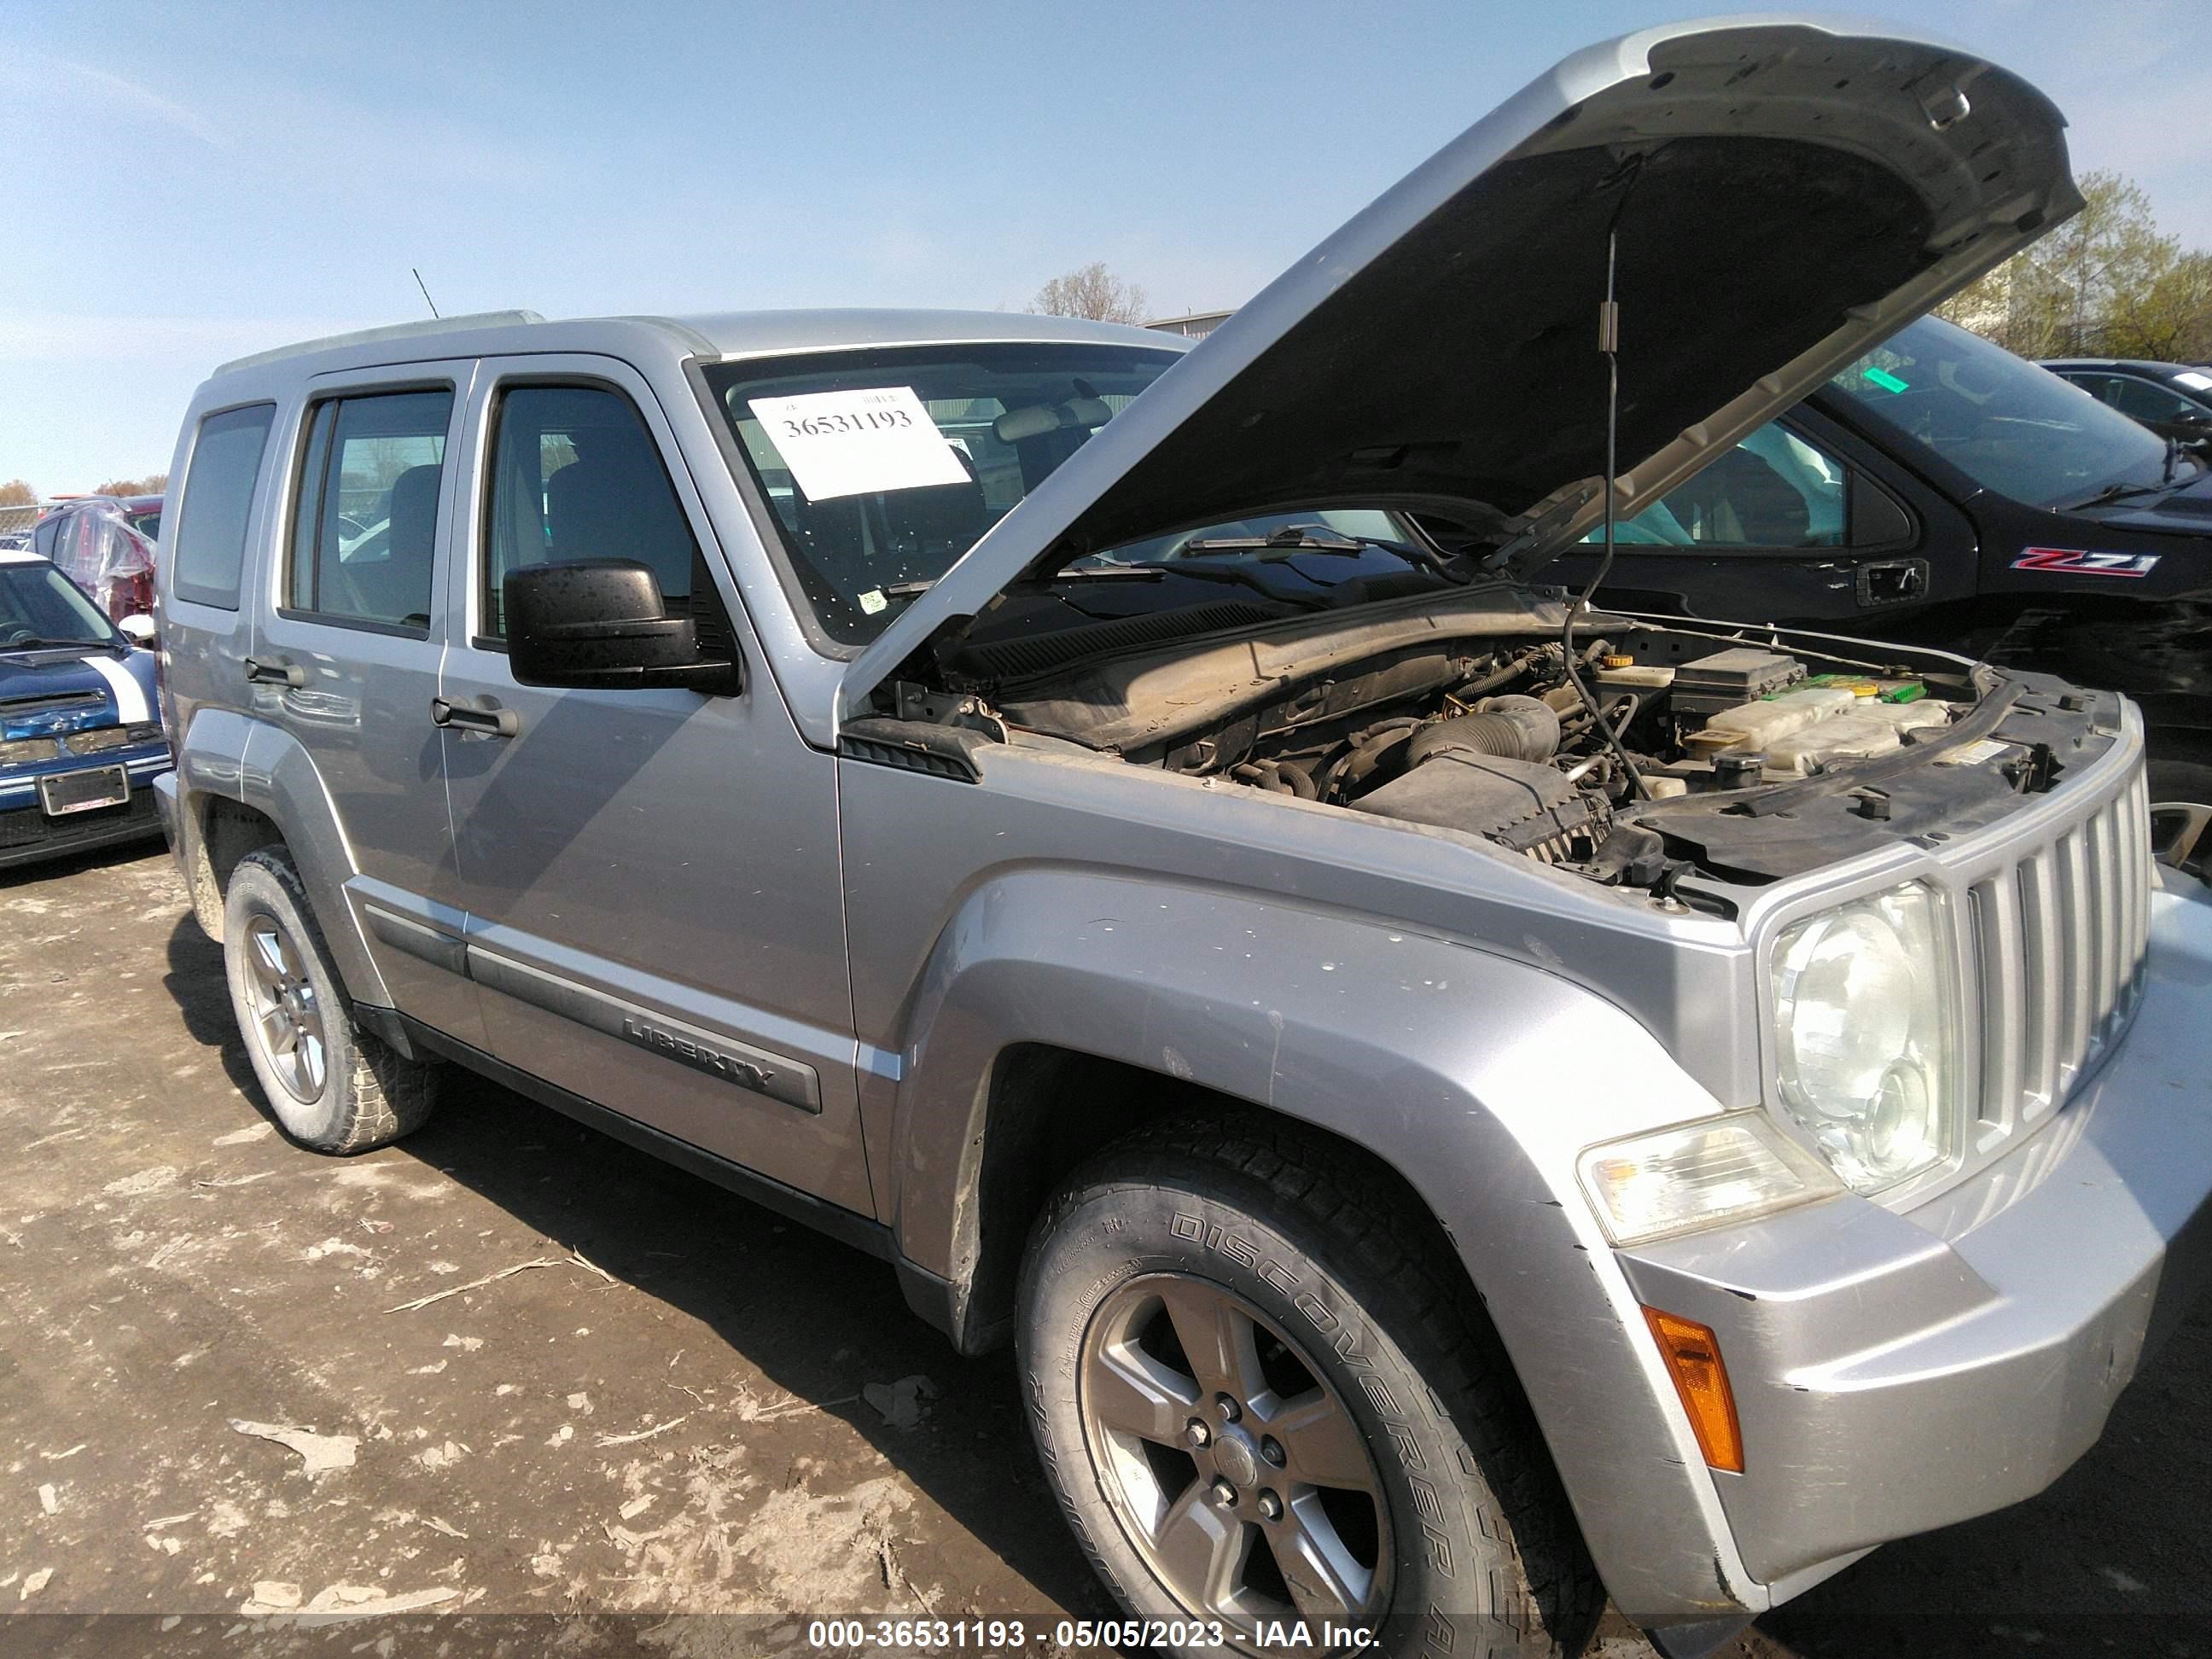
(576, 477)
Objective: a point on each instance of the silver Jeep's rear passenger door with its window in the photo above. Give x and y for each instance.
(348, 654)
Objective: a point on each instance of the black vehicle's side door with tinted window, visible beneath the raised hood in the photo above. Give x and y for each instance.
(1799, 523)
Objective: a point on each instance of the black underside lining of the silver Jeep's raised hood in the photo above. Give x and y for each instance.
(1463, 371)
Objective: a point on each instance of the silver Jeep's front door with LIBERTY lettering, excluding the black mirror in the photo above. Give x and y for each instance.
(651, 877)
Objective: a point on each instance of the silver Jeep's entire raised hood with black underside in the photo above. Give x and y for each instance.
(1786, 194)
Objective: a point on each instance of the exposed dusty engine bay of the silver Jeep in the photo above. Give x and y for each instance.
(1638, 755)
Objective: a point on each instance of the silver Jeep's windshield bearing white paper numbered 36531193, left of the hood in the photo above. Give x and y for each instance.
(888, 466)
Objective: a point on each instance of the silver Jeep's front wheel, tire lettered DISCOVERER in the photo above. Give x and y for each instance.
(1264, 1399)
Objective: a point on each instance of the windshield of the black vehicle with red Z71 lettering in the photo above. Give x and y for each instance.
(2010, 426)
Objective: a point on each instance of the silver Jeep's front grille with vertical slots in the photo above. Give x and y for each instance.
(2058, 941)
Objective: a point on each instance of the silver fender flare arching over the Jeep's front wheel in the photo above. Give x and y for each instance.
(1474, 1076)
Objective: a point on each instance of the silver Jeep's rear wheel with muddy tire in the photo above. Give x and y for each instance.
(333, 1089)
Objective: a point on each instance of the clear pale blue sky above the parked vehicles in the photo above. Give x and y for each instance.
(189, 182)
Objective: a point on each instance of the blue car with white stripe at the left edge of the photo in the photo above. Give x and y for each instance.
(81, 724)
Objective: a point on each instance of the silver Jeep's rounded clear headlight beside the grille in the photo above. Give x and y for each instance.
(1866, 1034)
